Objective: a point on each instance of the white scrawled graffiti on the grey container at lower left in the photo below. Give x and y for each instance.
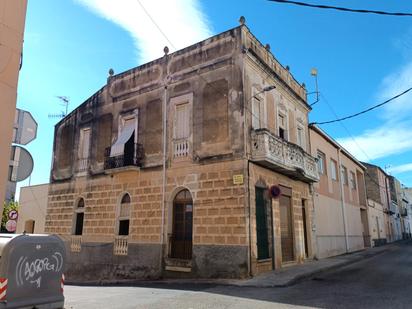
(31, 271)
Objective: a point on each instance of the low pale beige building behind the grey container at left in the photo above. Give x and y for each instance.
(32, 209)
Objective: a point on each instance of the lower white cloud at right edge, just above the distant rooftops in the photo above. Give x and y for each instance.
(379, 143)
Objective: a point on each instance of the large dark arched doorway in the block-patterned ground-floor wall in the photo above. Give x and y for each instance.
(182, 226)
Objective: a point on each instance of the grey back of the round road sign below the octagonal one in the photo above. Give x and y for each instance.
(21, 164)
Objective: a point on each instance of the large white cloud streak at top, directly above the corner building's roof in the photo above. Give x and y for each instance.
(182, 21)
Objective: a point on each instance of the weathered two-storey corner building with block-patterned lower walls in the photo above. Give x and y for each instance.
(130, 205)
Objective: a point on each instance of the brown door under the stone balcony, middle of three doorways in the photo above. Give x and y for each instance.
(286, 228)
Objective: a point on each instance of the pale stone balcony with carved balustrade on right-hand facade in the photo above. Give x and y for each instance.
(282, 156)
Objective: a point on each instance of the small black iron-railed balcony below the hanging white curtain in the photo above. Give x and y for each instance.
(132, 156)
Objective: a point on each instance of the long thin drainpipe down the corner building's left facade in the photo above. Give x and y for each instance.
(166, 50)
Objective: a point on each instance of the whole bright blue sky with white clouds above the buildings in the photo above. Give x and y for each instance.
(362, 60)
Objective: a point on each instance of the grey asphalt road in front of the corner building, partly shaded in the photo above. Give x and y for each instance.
(384, 281)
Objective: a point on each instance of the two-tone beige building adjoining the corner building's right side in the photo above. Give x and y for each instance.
(341, 220)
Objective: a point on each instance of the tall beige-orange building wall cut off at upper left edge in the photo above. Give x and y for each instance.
(12, 20)
